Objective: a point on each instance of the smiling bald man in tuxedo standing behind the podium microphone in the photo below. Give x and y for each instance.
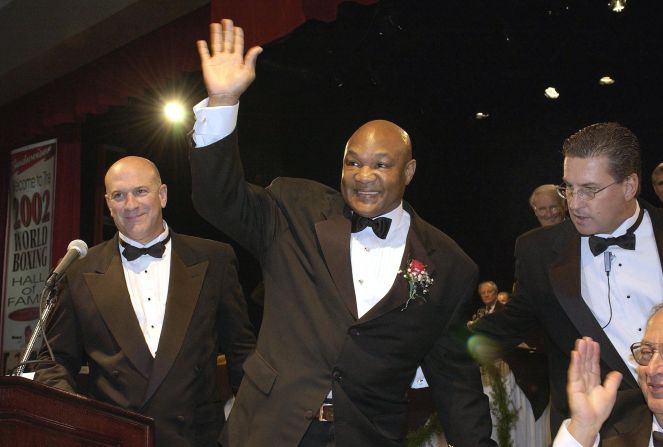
(148, 311)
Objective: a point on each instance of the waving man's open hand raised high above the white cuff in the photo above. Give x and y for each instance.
(226, 70)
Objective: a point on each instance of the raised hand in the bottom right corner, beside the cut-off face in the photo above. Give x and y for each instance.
(590, 402)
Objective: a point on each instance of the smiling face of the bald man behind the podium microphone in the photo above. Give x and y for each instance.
(135, 197)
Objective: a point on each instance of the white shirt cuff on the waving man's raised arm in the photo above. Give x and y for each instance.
(213, 123)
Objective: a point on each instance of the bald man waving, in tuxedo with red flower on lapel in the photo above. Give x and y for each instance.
(359, 290)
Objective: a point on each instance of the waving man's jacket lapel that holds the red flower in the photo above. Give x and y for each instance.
(399, 292)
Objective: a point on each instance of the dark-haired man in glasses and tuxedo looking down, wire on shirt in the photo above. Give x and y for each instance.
(597, 274)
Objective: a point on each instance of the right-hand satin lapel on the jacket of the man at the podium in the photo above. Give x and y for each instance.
(183, 292)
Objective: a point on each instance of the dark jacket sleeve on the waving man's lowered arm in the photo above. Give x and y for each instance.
(453, 375)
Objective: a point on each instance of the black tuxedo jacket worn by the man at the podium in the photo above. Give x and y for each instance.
(94, 322)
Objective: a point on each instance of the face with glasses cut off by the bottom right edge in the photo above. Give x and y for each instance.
(650, 377)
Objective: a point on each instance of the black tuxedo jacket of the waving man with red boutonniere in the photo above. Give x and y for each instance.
(311, 340)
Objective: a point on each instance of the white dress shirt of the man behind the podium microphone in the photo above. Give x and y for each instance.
(147, 280)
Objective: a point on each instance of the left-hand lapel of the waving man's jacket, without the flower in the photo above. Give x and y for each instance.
(334, 237)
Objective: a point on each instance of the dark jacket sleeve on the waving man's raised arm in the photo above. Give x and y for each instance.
(245, 212)
